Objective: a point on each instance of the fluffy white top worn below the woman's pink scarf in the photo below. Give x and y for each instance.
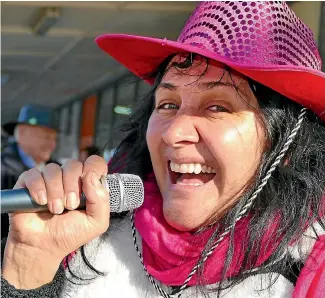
(114, 254)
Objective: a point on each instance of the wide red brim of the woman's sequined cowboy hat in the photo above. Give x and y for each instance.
(142, 55)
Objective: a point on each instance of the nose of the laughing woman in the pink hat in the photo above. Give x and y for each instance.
(180, 131)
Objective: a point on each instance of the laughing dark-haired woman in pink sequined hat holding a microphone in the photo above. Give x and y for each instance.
(230, 144)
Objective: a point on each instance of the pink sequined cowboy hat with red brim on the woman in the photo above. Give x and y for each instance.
(265, 41)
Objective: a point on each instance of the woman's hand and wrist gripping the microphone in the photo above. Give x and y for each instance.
(50, 236)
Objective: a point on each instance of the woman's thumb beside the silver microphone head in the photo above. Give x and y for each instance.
(97, 200)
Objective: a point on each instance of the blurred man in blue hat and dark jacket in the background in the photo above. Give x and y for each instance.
(32, 144)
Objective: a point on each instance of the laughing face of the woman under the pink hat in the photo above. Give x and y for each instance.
(205, 141)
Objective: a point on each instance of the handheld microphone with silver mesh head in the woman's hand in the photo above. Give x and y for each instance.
(125, 190)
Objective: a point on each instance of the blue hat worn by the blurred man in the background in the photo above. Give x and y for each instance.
(33, 115)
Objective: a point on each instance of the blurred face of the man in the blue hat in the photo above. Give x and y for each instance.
(39, 142)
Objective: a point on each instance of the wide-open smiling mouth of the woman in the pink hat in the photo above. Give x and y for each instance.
(190, 174)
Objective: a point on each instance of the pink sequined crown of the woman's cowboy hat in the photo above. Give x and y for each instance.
(257, 33)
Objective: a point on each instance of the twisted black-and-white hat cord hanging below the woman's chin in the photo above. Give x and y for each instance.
(240, 215)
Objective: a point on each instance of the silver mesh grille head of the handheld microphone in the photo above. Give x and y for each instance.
(126, 191)
